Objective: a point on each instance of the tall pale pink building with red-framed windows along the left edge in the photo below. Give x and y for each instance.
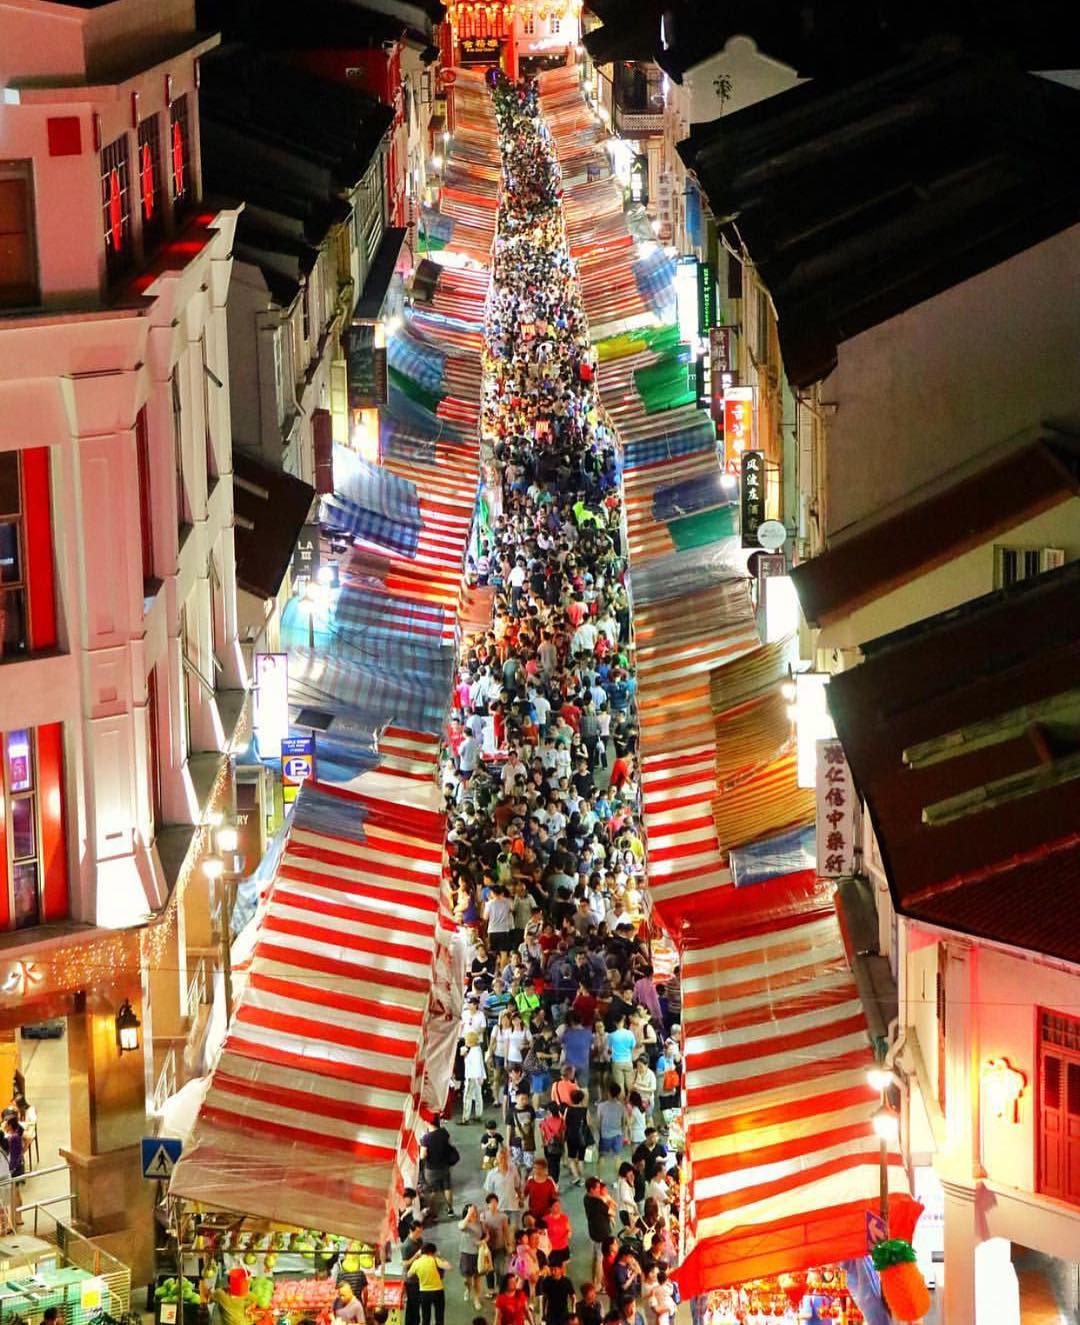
(123, 686)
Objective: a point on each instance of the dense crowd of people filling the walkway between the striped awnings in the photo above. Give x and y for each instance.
(569, 1063)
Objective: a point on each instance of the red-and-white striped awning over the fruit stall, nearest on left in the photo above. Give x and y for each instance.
(311, 1108)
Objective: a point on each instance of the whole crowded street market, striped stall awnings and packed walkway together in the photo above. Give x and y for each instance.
(508, 1038)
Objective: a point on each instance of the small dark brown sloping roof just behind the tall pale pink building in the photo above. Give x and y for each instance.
(271, 511)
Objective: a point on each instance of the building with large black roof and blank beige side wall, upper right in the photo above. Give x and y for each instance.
(894, 223)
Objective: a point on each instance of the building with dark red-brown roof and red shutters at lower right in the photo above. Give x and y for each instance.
(961, 733)
